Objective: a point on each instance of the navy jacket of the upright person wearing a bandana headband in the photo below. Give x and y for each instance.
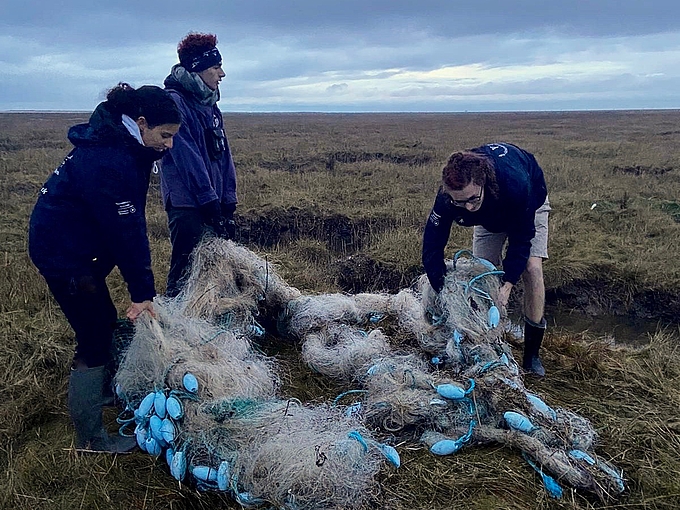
(189, 176)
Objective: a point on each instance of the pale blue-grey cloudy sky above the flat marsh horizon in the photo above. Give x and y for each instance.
(352, 55)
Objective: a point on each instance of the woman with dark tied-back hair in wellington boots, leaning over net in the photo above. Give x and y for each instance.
(89, 218)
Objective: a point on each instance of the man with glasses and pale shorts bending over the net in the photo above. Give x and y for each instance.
(499, 189)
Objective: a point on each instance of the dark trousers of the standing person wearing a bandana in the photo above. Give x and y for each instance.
(186, 231)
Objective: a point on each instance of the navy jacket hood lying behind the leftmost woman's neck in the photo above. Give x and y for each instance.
(106, 128)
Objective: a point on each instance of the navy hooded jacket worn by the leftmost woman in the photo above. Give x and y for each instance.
(93, 207)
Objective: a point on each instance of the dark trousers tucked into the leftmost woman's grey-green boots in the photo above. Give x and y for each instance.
(87, 305)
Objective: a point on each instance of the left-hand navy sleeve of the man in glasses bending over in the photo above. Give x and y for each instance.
(435, 237)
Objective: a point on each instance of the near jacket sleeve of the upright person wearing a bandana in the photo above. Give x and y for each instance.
(190, 157)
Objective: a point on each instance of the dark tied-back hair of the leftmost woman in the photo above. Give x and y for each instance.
(151, 102)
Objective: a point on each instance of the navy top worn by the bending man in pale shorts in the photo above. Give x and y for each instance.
(521, 191)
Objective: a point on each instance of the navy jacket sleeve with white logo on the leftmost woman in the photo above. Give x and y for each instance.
(116, 196)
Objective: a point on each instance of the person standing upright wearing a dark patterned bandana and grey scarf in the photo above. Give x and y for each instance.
(198, 177)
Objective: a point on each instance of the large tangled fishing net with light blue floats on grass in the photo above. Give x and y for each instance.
(424, 366)
